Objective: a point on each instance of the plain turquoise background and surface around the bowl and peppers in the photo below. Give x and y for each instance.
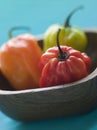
(38, 15)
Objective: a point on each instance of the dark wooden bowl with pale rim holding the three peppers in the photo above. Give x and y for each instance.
(64, 100)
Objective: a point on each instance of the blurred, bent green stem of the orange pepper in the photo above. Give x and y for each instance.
(10, 33)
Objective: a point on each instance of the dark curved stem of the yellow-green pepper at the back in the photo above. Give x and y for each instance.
(67, 23)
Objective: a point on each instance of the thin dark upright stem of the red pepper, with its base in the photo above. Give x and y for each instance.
(62, 55)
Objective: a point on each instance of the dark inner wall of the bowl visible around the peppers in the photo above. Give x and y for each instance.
(91, 50)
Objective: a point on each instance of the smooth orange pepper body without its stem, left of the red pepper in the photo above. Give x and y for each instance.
(19, 59)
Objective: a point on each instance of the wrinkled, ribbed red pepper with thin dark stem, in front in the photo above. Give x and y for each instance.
(62, 64)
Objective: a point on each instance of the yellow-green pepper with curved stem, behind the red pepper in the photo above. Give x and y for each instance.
(69, 35)
